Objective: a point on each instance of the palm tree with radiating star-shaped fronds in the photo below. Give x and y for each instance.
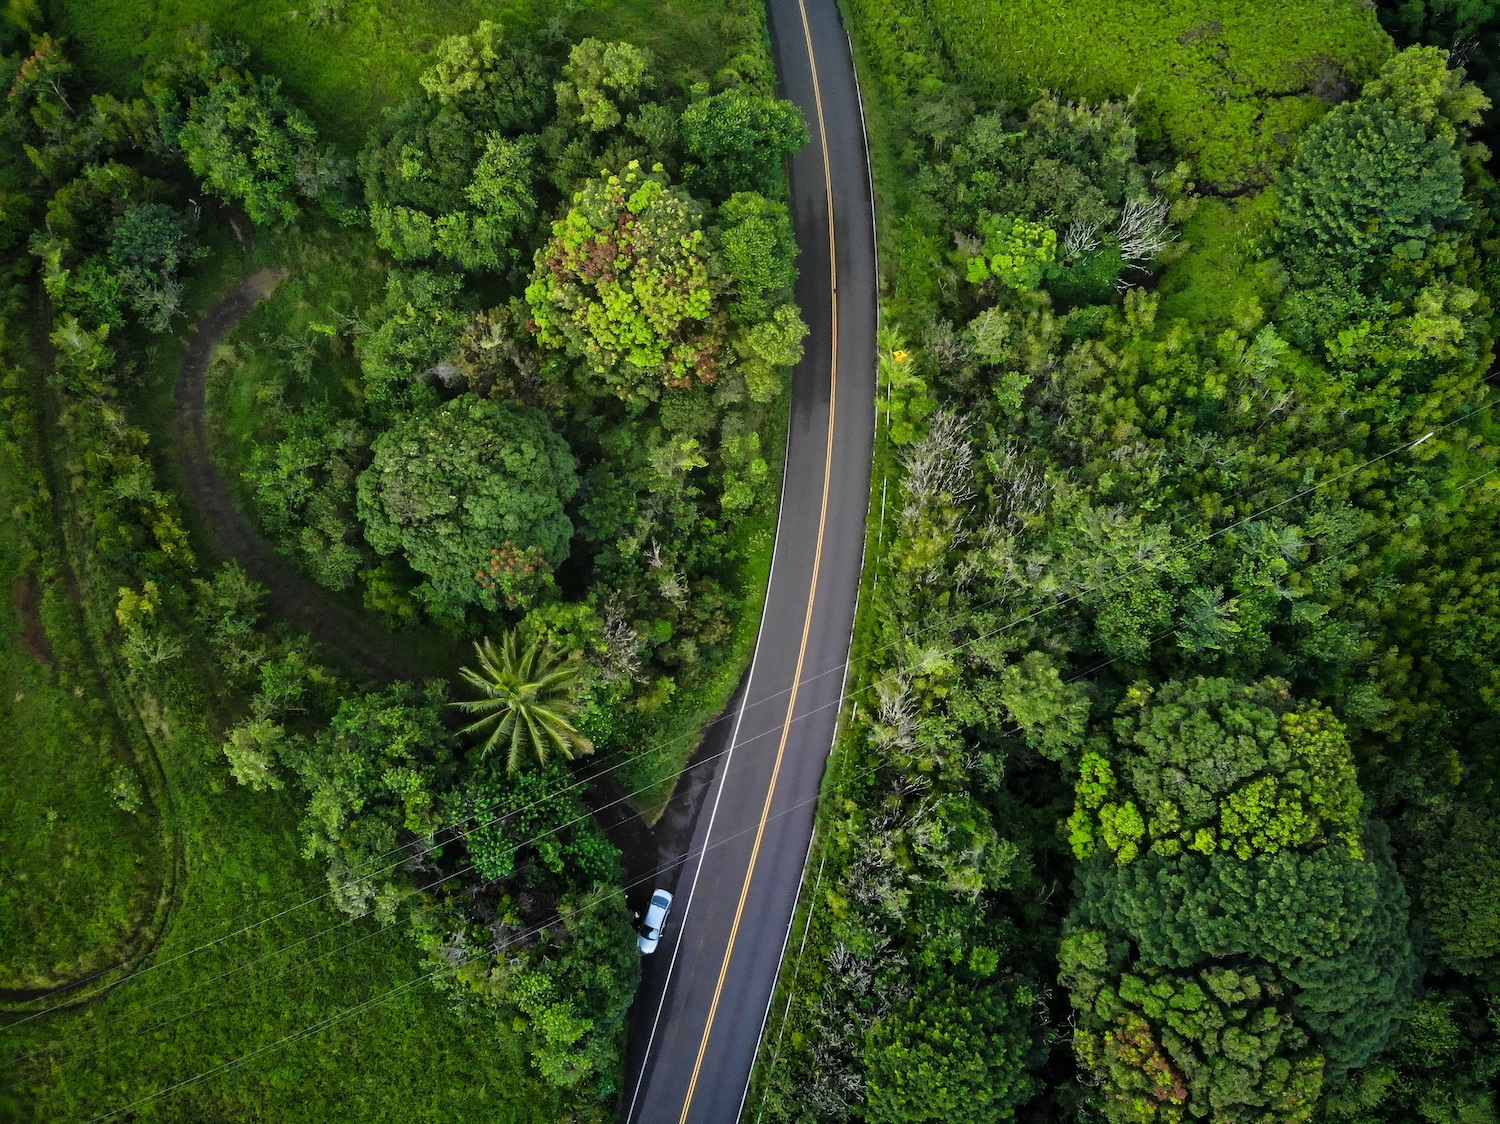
(527, 696)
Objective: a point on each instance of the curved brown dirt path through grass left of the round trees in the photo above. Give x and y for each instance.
(293, 597)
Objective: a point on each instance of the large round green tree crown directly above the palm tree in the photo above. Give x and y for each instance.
(449, 485)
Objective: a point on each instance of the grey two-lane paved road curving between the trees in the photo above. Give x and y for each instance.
(707, 990)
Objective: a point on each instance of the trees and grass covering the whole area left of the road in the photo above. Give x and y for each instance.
(514, 401)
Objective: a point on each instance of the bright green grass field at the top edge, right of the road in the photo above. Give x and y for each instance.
(1223, 83)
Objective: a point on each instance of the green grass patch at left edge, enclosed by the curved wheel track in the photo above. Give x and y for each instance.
(80, 879)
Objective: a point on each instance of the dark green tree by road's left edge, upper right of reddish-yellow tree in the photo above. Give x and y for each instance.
(740, 142)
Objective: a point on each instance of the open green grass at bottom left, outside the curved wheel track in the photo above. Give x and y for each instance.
(404, 1060)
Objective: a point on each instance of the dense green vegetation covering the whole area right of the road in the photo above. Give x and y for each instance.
(1169, 792)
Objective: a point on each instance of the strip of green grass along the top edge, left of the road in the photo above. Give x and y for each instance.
(344, 73)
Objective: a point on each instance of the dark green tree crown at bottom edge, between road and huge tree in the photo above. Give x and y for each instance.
(949, 1056)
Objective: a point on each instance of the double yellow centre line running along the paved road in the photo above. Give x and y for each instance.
(812, 594)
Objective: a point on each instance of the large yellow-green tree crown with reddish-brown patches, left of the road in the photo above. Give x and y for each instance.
(625, 284)
